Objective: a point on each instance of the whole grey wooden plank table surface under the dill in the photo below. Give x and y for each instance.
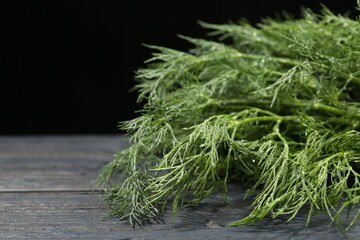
(46, 192)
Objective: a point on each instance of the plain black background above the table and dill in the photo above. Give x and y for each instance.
(67, 66)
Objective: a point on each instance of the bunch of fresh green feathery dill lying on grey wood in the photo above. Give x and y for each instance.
(275, 107)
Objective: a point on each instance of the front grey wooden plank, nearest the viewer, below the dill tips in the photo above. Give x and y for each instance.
(80, 216)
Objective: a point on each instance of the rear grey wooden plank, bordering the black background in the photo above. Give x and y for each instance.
(35, 162)
